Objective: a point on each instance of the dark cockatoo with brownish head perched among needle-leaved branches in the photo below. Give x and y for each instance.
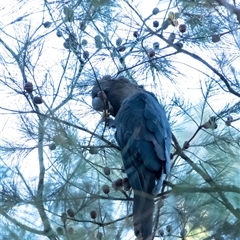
(144, 137)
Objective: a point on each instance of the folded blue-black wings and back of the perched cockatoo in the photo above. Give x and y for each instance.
(142, 130)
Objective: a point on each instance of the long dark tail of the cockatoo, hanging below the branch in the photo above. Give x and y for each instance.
(143, 207)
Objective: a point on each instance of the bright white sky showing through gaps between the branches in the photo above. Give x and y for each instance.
(190, 83)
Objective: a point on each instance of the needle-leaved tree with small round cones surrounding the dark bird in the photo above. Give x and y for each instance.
(61, 170)
